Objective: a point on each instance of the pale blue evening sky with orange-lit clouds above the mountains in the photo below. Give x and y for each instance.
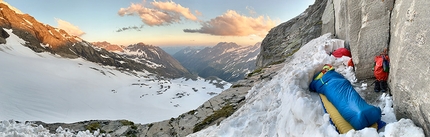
(163, 22)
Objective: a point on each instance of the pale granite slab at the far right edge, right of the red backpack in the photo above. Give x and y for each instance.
(409, 54)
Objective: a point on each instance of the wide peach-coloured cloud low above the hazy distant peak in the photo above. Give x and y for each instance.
(233, 24)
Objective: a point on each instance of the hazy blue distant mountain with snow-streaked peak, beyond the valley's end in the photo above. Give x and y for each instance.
(227, 61)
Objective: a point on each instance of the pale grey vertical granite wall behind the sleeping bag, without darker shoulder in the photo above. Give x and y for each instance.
(401, 26)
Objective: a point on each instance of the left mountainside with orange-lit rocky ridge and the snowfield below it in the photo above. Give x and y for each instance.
(51, 76)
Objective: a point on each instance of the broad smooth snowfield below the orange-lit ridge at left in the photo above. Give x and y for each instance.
(48, 88)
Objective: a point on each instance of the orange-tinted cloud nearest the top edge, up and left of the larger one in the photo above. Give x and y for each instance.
(159, 13)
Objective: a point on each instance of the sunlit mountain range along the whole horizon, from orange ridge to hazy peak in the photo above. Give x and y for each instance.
(227, 61)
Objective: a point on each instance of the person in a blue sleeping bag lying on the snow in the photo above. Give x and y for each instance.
(340, 92)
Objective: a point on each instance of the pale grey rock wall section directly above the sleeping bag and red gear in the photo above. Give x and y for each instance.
(364, 25)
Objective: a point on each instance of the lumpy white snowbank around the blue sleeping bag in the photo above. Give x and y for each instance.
(285, 107)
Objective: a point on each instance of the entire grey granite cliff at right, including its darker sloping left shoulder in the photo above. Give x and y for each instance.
(368, 27)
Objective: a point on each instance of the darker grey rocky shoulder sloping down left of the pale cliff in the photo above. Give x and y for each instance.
(286, 38)
